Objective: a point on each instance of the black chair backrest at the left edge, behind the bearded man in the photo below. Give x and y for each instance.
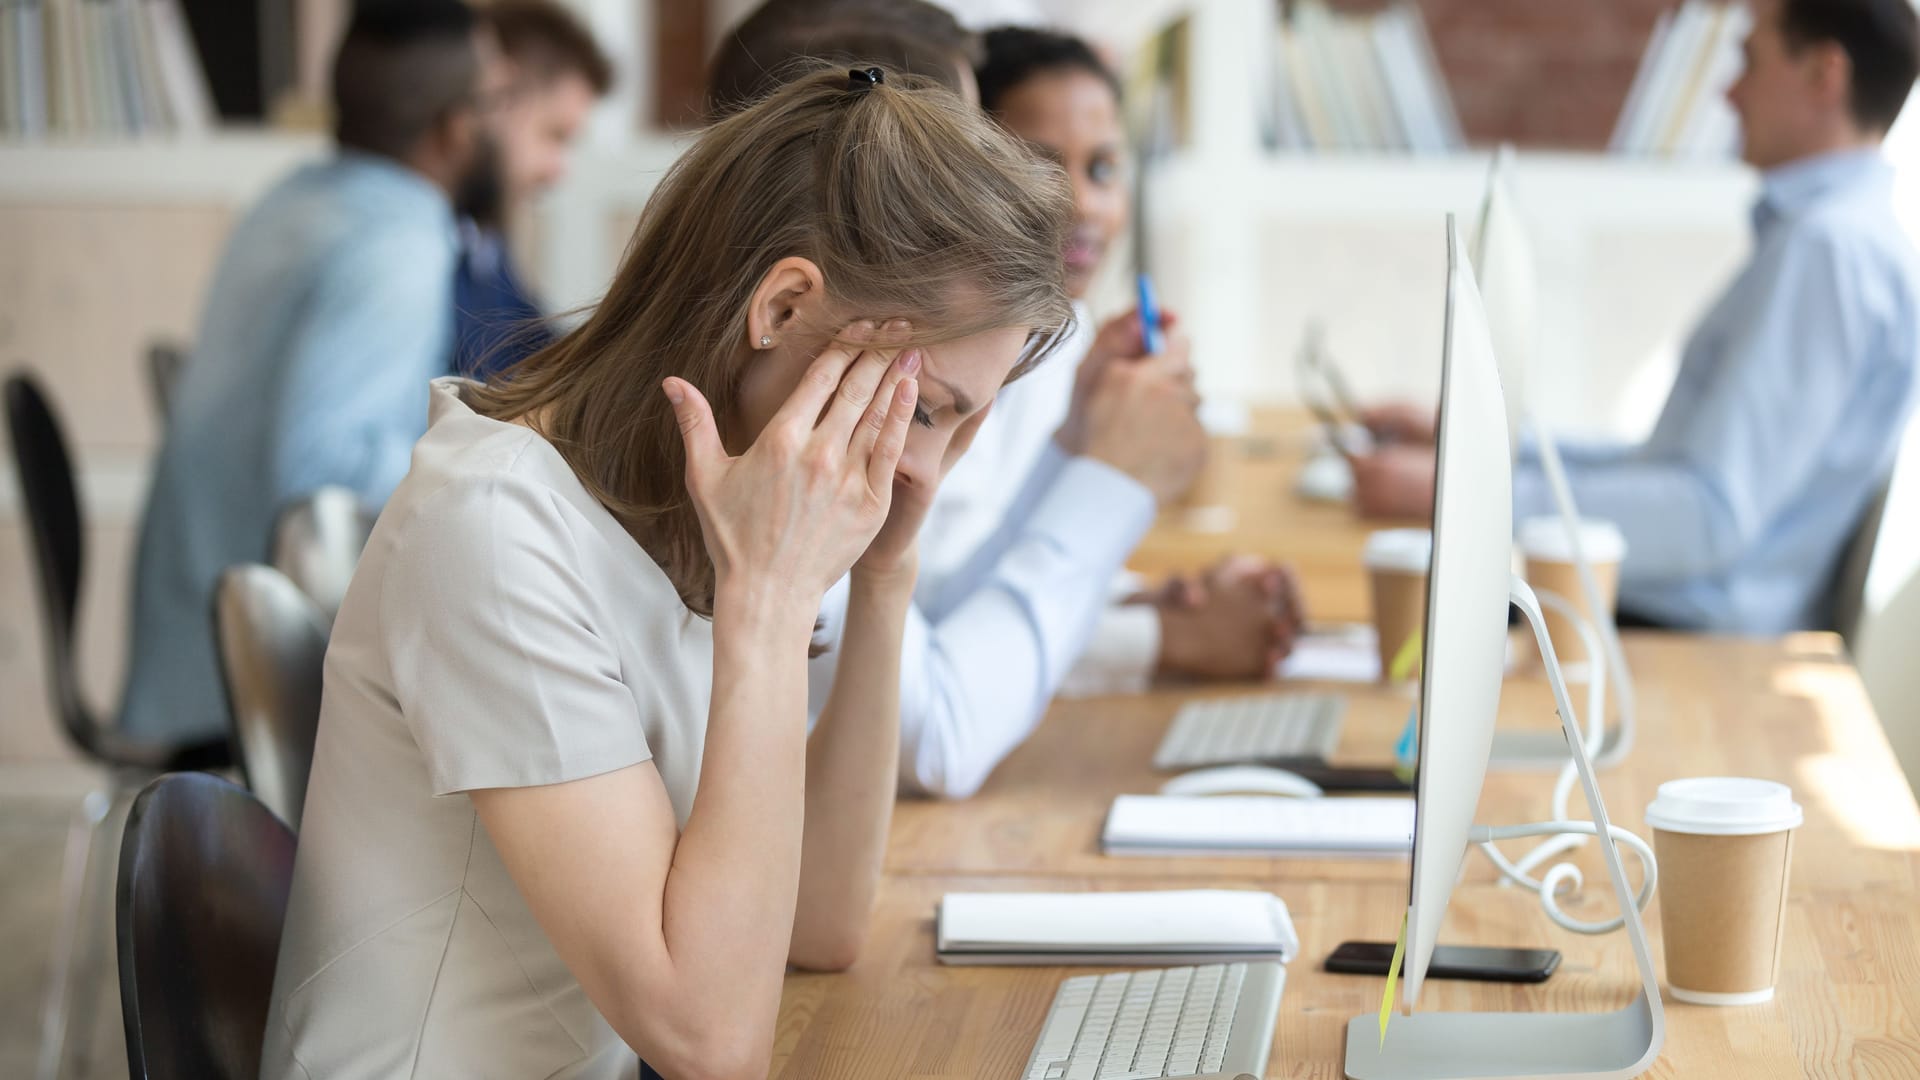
(59, 541)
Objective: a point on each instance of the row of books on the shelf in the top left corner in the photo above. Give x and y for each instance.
(99, 70)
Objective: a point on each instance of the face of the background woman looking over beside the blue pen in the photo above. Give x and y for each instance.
(1074, 118)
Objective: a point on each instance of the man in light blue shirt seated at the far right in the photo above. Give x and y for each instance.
(1796, 387)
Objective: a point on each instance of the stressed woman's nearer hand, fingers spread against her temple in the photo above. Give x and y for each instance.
(805, 501)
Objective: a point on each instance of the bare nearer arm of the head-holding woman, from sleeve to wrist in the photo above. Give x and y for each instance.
(681, 941)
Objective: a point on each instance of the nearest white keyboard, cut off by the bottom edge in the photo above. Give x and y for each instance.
(1180, 1021)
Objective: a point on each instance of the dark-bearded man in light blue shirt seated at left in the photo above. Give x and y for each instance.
(329, 314)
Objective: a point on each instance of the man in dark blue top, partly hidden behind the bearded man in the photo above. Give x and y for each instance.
(556, 72)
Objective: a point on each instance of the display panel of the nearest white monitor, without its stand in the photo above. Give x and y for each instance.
(1466, 639)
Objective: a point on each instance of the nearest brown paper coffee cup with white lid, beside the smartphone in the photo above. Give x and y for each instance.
(1725, 848)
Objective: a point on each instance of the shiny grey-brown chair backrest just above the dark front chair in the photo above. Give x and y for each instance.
(272, 647)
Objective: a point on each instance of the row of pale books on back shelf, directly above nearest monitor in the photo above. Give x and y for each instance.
(1360, 84)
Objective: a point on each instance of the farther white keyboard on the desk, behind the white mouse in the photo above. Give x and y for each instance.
(1259, 729)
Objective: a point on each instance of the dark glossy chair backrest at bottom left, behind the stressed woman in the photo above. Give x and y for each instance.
(204, 875)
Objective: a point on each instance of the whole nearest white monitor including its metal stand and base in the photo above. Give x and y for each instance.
(1470, 585)
